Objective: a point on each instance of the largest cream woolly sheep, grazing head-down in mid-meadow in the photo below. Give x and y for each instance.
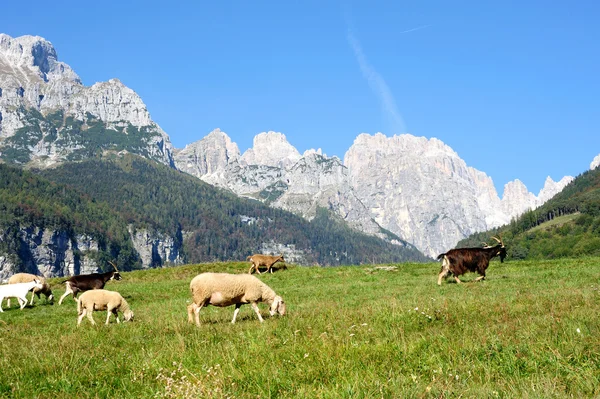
(222, 289)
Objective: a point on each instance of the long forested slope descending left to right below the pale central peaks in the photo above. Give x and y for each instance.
(214, 224)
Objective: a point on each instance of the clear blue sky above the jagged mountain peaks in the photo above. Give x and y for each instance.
(511, 86)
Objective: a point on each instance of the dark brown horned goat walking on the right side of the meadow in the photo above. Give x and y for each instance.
(461, 260)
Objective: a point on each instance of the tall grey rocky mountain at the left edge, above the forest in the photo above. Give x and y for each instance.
(48, 116)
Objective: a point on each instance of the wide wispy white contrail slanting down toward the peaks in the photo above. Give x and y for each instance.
(379, 87)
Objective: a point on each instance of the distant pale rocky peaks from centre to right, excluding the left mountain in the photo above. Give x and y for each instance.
(416, 188)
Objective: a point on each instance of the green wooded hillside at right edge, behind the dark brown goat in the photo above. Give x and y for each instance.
(565, 226)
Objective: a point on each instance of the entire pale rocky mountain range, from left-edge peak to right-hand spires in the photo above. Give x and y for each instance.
(401, 189)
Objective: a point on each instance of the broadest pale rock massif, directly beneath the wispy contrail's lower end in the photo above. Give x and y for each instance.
(421, 189)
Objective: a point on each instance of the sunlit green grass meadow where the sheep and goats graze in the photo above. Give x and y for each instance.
(531, 330)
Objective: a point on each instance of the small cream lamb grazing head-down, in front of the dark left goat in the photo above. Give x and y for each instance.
(111, 301)
